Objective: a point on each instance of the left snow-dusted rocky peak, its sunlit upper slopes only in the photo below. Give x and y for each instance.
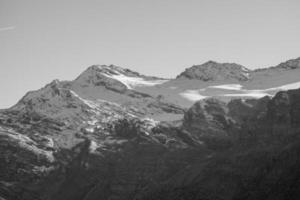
(100, 92)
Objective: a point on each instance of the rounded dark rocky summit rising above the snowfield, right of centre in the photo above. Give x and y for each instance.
(213, 71)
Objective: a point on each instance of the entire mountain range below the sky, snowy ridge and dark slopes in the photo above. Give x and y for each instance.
(218, 131)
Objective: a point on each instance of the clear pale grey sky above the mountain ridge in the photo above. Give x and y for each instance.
(43, 40)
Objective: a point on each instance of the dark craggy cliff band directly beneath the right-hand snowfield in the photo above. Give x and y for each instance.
(275, 115)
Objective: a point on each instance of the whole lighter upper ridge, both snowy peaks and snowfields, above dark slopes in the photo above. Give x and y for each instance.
(151, 96)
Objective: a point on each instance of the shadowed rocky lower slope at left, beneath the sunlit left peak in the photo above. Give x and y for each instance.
(128, 158)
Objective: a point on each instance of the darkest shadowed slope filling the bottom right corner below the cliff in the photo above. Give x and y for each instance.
(270, 172)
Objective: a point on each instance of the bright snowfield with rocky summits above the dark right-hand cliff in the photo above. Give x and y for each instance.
(226, 81)
